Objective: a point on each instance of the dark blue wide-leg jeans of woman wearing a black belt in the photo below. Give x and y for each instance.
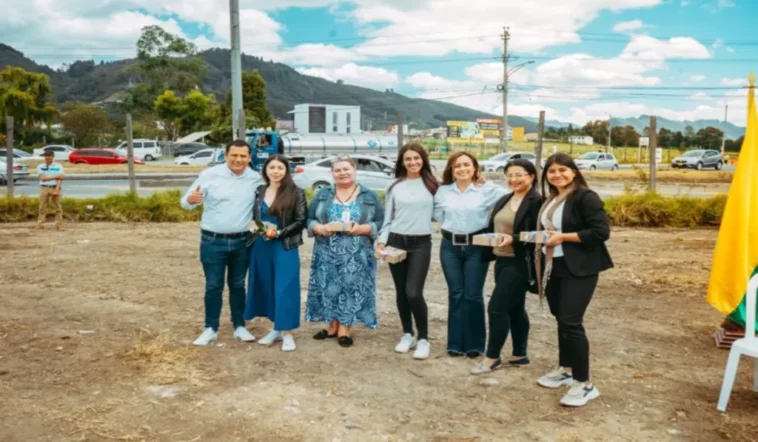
(465, 273)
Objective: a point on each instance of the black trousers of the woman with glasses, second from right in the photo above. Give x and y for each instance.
(506, 310)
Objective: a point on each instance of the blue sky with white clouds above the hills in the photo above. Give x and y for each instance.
(680, 59)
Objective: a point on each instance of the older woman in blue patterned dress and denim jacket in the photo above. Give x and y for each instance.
(342, 284)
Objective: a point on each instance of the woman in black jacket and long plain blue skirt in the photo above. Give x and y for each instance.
(274, 276)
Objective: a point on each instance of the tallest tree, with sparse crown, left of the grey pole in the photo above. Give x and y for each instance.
(164, 62)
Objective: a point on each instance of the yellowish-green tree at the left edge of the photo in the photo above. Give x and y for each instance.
(26, 97)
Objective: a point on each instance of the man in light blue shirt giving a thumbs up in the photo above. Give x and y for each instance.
(227, 193)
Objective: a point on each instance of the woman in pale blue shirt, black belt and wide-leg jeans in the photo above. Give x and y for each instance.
(462, 209)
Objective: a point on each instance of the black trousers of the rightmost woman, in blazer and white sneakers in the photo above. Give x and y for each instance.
(568, 297)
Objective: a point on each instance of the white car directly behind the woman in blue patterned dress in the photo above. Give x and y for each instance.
(373, 172)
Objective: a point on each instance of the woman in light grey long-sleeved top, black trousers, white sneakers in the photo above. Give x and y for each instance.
(409, 207)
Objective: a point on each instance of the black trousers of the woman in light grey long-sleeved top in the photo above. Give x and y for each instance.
(409, 276)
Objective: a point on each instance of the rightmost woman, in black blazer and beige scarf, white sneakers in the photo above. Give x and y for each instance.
(574, 255)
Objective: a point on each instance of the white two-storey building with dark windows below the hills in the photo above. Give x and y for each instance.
(327, 119)
